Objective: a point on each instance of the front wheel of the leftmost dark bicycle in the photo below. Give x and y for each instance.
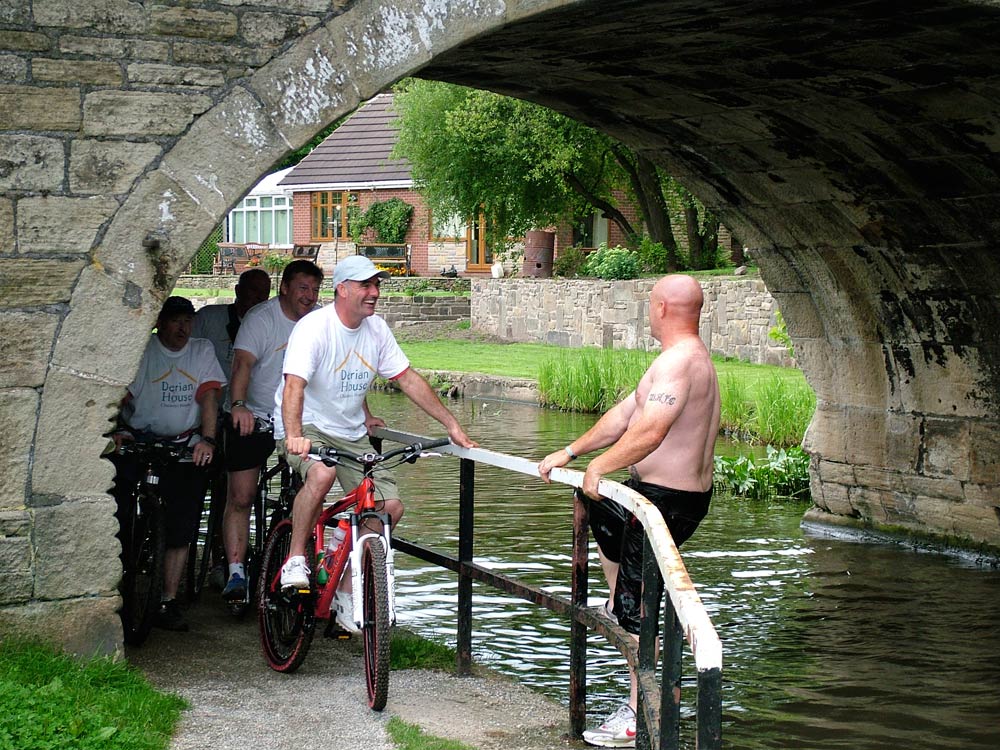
(143, 538)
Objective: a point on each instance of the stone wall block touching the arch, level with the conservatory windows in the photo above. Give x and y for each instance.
(54, 224)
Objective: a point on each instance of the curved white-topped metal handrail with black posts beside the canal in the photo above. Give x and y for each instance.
(691, 616)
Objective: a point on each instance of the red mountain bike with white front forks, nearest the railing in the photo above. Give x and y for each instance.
(288, 618)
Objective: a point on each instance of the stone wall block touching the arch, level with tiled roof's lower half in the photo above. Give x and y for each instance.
(108, 167)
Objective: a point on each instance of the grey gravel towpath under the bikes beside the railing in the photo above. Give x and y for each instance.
(238, 703)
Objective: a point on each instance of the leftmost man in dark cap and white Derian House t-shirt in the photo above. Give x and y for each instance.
(175, 396)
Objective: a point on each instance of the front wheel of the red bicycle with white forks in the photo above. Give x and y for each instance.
(375, 629)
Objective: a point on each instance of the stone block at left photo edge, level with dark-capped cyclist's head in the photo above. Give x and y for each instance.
(26, 340)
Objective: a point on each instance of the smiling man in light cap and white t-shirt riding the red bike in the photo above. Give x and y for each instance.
(332, 357)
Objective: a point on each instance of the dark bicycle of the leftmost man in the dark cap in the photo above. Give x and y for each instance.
(142, 533)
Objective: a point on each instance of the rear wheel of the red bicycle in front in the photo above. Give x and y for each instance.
(286, 620)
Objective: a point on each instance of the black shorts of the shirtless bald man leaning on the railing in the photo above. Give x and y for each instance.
(620, 536)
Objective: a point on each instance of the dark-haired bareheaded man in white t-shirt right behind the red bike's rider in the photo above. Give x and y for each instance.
(258, 353)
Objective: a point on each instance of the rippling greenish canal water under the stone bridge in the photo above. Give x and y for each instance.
(828, 641)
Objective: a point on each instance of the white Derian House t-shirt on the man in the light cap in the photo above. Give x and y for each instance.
(338, 364)
